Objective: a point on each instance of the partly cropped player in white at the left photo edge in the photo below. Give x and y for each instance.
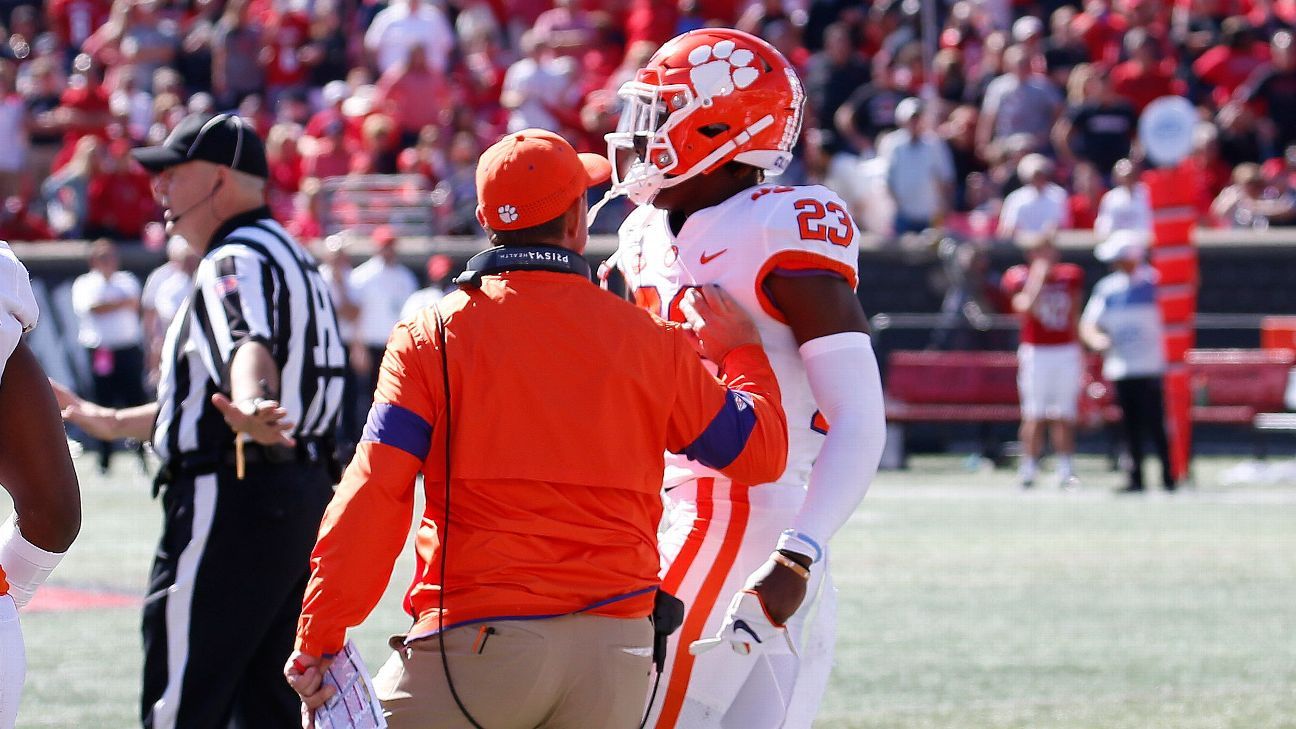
(36, 469)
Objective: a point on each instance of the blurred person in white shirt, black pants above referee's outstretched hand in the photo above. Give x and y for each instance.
(108, 308)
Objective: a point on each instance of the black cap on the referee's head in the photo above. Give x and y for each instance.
(221, 139)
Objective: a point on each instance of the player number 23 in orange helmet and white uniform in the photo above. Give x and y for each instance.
(712, 116)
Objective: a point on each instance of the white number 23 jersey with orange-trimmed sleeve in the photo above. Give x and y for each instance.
(737, 245)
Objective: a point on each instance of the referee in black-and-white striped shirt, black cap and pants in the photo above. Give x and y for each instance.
(253, 353)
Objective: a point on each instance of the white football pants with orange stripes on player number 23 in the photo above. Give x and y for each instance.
(715, 535)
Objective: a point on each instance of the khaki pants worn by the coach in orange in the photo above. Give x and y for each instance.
(571, 673)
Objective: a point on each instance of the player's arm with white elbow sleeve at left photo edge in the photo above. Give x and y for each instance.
(37, 470)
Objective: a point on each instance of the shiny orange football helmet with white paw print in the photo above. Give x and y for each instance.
(707, 98)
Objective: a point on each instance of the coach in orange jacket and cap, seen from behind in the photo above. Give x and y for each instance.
(541, 407)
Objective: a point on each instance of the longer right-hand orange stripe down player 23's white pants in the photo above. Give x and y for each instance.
(702, 608)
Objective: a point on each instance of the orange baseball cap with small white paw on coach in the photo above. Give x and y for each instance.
(532, 177)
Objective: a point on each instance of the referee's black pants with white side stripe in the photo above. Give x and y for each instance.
(225, 596)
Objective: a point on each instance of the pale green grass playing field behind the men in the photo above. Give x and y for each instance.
(965, 604)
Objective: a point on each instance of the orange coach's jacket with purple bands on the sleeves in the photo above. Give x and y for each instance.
(564, 400)
